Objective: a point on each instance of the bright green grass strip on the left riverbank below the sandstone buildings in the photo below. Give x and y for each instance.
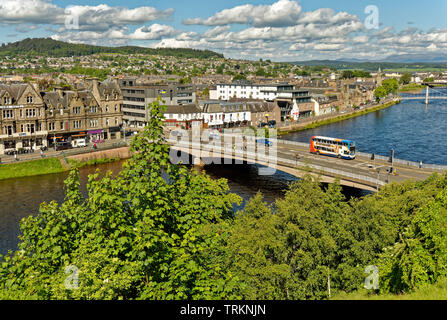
(30, 168)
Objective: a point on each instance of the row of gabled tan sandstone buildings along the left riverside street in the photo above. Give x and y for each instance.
(31, 120)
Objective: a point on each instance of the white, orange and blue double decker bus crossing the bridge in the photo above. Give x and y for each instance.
(342, 149)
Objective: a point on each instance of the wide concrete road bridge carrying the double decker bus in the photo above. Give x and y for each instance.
(366, 172)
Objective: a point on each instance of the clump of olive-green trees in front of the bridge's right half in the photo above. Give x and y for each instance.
(315, 239)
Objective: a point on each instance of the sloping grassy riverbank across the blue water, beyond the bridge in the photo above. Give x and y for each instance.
(336, 118)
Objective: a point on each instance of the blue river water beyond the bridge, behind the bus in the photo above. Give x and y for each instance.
(414, 131)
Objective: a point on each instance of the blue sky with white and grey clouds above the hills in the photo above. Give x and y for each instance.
(280, 30)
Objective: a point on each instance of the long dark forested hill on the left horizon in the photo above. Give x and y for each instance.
(54, 48)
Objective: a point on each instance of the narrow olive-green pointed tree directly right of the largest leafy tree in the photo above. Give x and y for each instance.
(254, 245)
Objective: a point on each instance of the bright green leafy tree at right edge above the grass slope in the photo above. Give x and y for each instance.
(420, 256)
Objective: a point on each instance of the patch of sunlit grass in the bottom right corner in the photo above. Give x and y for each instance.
(437, 291)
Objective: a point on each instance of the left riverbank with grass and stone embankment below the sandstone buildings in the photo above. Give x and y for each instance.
(61, 164)
